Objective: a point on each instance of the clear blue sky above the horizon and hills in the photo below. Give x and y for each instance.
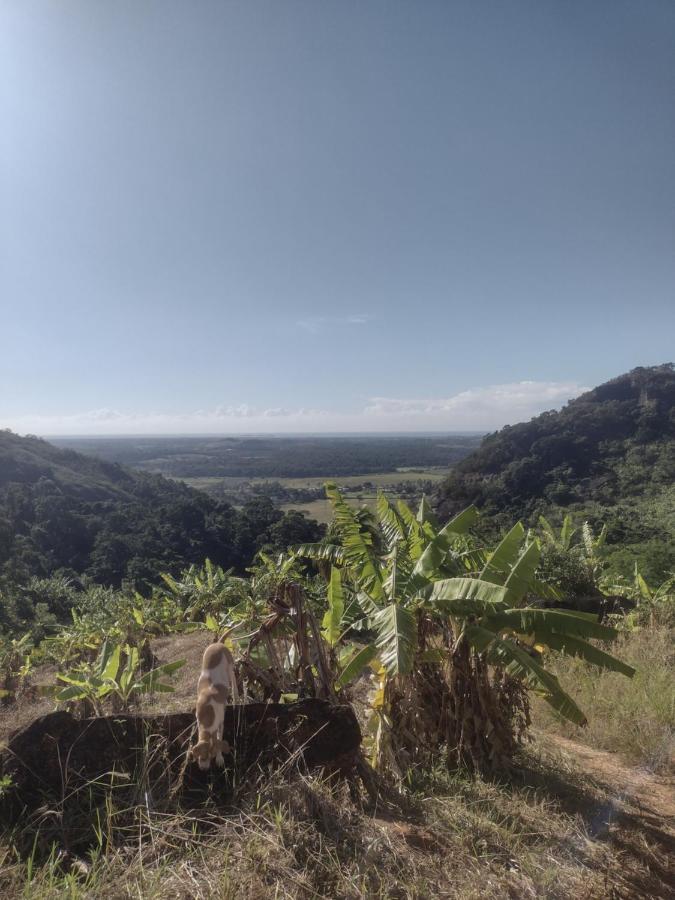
(328, 216)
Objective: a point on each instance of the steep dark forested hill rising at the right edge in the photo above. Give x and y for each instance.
(609, 454)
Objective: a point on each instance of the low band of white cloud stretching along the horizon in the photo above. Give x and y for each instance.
(476, 409)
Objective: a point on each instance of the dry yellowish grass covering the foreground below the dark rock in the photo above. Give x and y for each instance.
(301, 837)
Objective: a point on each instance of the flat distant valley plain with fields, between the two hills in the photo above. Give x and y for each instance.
(290, 472)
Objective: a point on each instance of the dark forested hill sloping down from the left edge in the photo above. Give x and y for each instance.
(61, 510)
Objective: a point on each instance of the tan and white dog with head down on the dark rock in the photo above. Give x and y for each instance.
(216, 680)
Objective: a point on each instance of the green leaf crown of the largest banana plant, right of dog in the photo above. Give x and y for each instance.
(414, 576)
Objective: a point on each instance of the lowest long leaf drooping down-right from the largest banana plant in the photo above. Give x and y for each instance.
(519, 664)
